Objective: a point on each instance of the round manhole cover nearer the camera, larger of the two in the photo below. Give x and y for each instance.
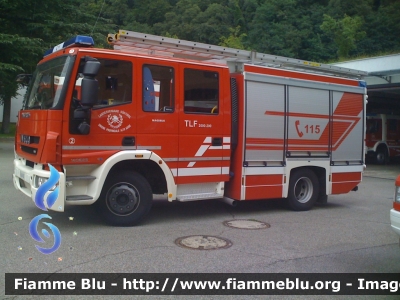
(203, 242)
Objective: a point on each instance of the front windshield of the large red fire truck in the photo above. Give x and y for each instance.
(49, 83)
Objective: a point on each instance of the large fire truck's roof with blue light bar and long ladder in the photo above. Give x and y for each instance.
(142, 45)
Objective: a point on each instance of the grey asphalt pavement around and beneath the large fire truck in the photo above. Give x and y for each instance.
(351, 234)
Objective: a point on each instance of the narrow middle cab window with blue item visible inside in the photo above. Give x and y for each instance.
(158, 88)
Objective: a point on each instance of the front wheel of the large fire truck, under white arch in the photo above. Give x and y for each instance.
(125, 199)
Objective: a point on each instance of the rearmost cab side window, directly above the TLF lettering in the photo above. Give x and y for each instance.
(201, 91)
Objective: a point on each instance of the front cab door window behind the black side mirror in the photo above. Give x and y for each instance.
(115, 83)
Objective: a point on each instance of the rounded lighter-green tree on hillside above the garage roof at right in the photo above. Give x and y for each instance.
(345, 32)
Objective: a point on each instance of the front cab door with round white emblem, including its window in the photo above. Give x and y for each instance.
(112, 119)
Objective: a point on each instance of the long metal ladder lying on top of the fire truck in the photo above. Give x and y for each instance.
(151, 44)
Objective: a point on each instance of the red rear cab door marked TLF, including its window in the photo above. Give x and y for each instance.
(202, 142)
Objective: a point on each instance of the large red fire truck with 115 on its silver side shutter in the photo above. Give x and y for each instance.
(189, 121)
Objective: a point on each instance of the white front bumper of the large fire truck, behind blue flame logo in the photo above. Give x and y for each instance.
(24, 181)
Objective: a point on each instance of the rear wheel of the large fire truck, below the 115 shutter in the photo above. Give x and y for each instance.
(303, 190)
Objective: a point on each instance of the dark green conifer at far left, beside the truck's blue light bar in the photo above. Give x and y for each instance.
(28, 28)
